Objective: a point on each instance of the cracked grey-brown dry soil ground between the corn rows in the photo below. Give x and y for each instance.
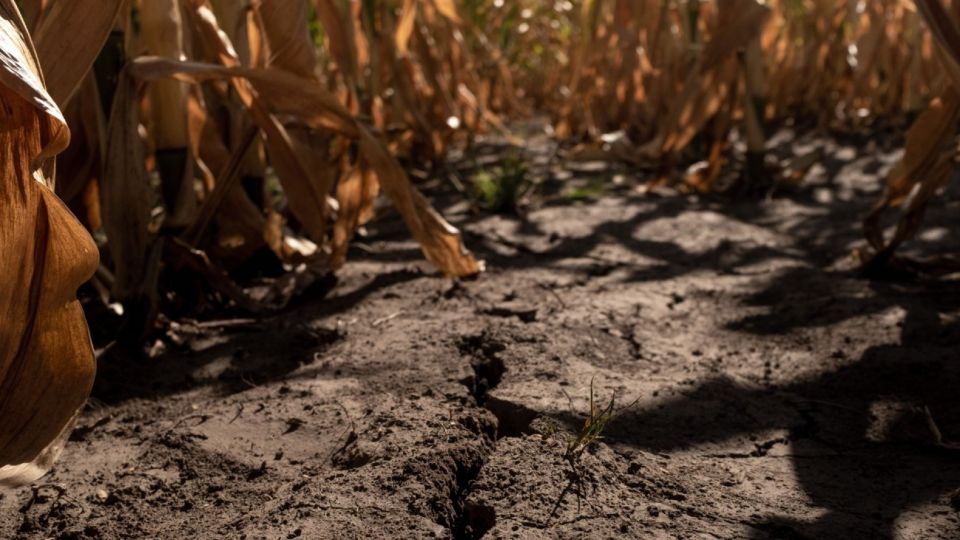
(775, 393)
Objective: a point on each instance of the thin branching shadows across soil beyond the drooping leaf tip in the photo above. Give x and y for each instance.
(823, 230)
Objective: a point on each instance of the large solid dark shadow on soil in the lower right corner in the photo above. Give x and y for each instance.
(859, 443)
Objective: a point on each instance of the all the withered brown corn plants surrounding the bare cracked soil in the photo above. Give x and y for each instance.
(191, 144)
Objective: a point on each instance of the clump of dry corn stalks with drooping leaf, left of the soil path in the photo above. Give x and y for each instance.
(330, 164)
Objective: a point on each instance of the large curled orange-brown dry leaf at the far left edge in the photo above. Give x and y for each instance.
(46, 359)
